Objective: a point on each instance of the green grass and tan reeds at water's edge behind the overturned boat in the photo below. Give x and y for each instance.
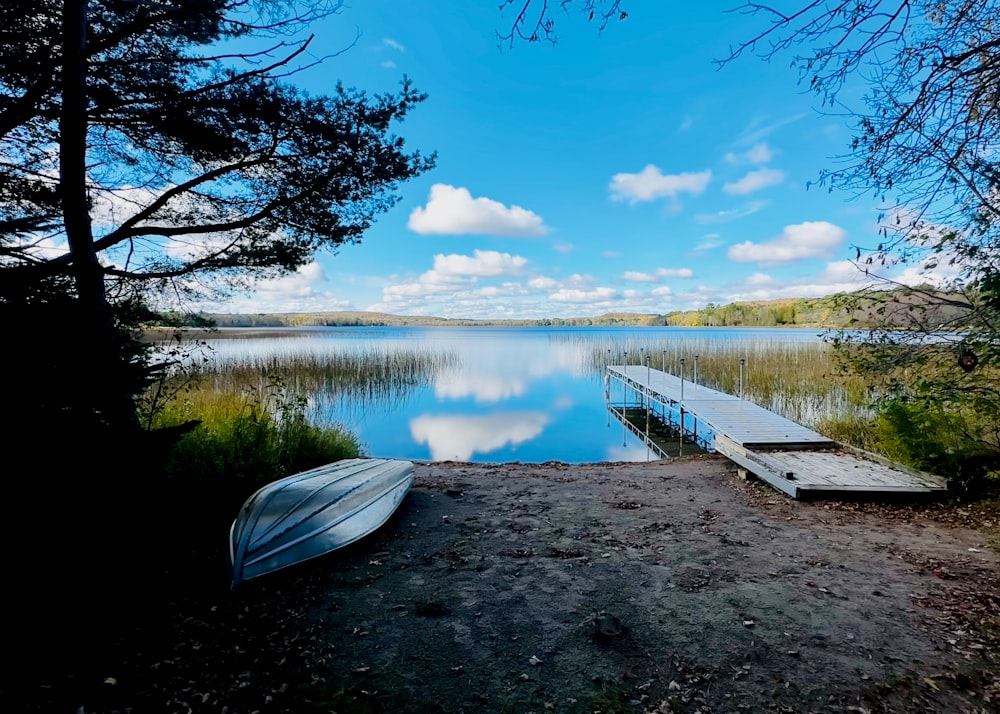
(256, 410)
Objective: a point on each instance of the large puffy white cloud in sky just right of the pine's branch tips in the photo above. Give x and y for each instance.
(452, 210)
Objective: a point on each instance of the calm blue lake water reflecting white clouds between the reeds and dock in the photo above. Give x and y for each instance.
(497, 394)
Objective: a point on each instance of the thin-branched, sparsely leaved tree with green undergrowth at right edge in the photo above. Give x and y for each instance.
(925, 146)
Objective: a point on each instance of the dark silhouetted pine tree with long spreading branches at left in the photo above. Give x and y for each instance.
(160, 148)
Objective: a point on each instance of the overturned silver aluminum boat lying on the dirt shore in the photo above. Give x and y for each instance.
(314, 512)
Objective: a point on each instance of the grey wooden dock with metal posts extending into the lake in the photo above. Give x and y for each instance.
(790, 457)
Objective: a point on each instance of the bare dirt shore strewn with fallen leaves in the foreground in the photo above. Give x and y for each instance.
(659, 587)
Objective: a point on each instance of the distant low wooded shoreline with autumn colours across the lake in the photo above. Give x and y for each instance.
(859, 310)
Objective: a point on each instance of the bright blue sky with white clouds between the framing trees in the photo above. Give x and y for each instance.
(620, 170)
